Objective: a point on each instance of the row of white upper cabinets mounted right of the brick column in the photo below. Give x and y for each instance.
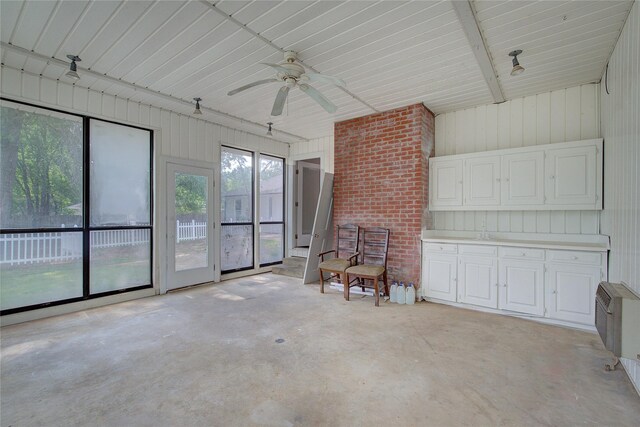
(564, 176)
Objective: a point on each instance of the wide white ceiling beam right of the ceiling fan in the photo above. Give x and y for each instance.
(467, 18)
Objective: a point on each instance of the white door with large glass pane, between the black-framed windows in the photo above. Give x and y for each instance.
(189, 225)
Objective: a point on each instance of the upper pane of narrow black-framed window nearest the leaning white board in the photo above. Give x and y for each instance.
(271, 189)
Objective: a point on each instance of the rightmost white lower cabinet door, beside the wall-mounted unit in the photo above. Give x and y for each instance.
(571, 292)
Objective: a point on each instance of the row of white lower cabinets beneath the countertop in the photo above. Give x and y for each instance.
(556, 284)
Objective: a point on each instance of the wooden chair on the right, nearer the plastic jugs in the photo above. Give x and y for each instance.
(375, 246)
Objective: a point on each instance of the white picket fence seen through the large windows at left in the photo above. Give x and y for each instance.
(31, 248)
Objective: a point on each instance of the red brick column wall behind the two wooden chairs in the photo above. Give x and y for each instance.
(381, 180)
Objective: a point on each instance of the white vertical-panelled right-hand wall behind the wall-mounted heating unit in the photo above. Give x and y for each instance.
(620, 111)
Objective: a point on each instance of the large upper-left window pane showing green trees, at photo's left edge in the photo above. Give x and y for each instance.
(40, 168)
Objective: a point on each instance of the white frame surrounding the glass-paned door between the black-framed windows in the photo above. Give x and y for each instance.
(162, 265)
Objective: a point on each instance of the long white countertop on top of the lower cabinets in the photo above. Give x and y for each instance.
(596, 243)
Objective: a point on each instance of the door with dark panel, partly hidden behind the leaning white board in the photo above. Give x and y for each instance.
(308, 175)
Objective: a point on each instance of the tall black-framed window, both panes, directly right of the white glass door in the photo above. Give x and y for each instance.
(237, 217)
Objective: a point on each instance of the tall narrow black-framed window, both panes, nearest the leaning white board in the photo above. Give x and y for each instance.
(271, 210)
